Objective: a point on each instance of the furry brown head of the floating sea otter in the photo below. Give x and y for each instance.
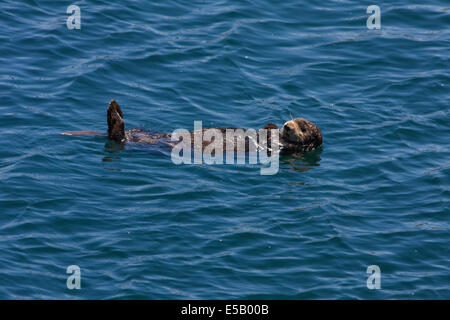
(302, 134)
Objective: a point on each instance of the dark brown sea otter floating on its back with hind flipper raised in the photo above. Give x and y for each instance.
(296, 136)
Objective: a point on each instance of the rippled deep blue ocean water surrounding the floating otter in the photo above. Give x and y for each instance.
(141, 227)
